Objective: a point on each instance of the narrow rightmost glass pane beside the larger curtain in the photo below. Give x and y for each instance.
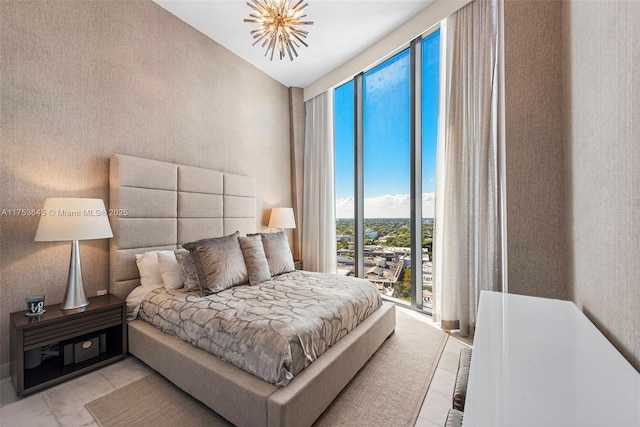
(430, 88)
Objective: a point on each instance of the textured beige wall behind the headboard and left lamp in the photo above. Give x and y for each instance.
(83, 80)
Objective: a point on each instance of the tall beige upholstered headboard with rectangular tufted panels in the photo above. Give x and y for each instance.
(156, 205)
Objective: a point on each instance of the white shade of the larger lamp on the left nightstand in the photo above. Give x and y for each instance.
(67, 219)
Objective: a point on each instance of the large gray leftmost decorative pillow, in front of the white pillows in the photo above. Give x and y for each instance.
(219, 263)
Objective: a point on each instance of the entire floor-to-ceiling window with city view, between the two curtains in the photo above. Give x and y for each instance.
(375, 127)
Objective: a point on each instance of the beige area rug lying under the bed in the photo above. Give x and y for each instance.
(388, 390)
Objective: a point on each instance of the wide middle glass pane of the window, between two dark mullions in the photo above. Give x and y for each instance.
(387, 171)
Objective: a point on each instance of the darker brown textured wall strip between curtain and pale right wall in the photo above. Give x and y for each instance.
(533, 108)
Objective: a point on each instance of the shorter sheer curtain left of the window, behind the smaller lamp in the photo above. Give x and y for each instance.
(318, 198)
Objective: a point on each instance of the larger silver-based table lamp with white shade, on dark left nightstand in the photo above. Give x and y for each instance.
(73, 219)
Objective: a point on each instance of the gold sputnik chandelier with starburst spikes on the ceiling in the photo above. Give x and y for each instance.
(278, 26)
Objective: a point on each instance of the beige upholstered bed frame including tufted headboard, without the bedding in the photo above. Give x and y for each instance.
(157, 205)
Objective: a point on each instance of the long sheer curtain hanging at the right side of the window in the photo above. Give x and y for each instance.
(468, 226)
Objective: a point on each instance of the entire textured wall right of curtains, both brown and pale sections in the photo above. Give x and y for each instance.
(573, 158)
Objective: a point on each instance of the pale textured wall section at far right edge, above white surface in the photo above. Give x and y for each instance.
(602, 159)
